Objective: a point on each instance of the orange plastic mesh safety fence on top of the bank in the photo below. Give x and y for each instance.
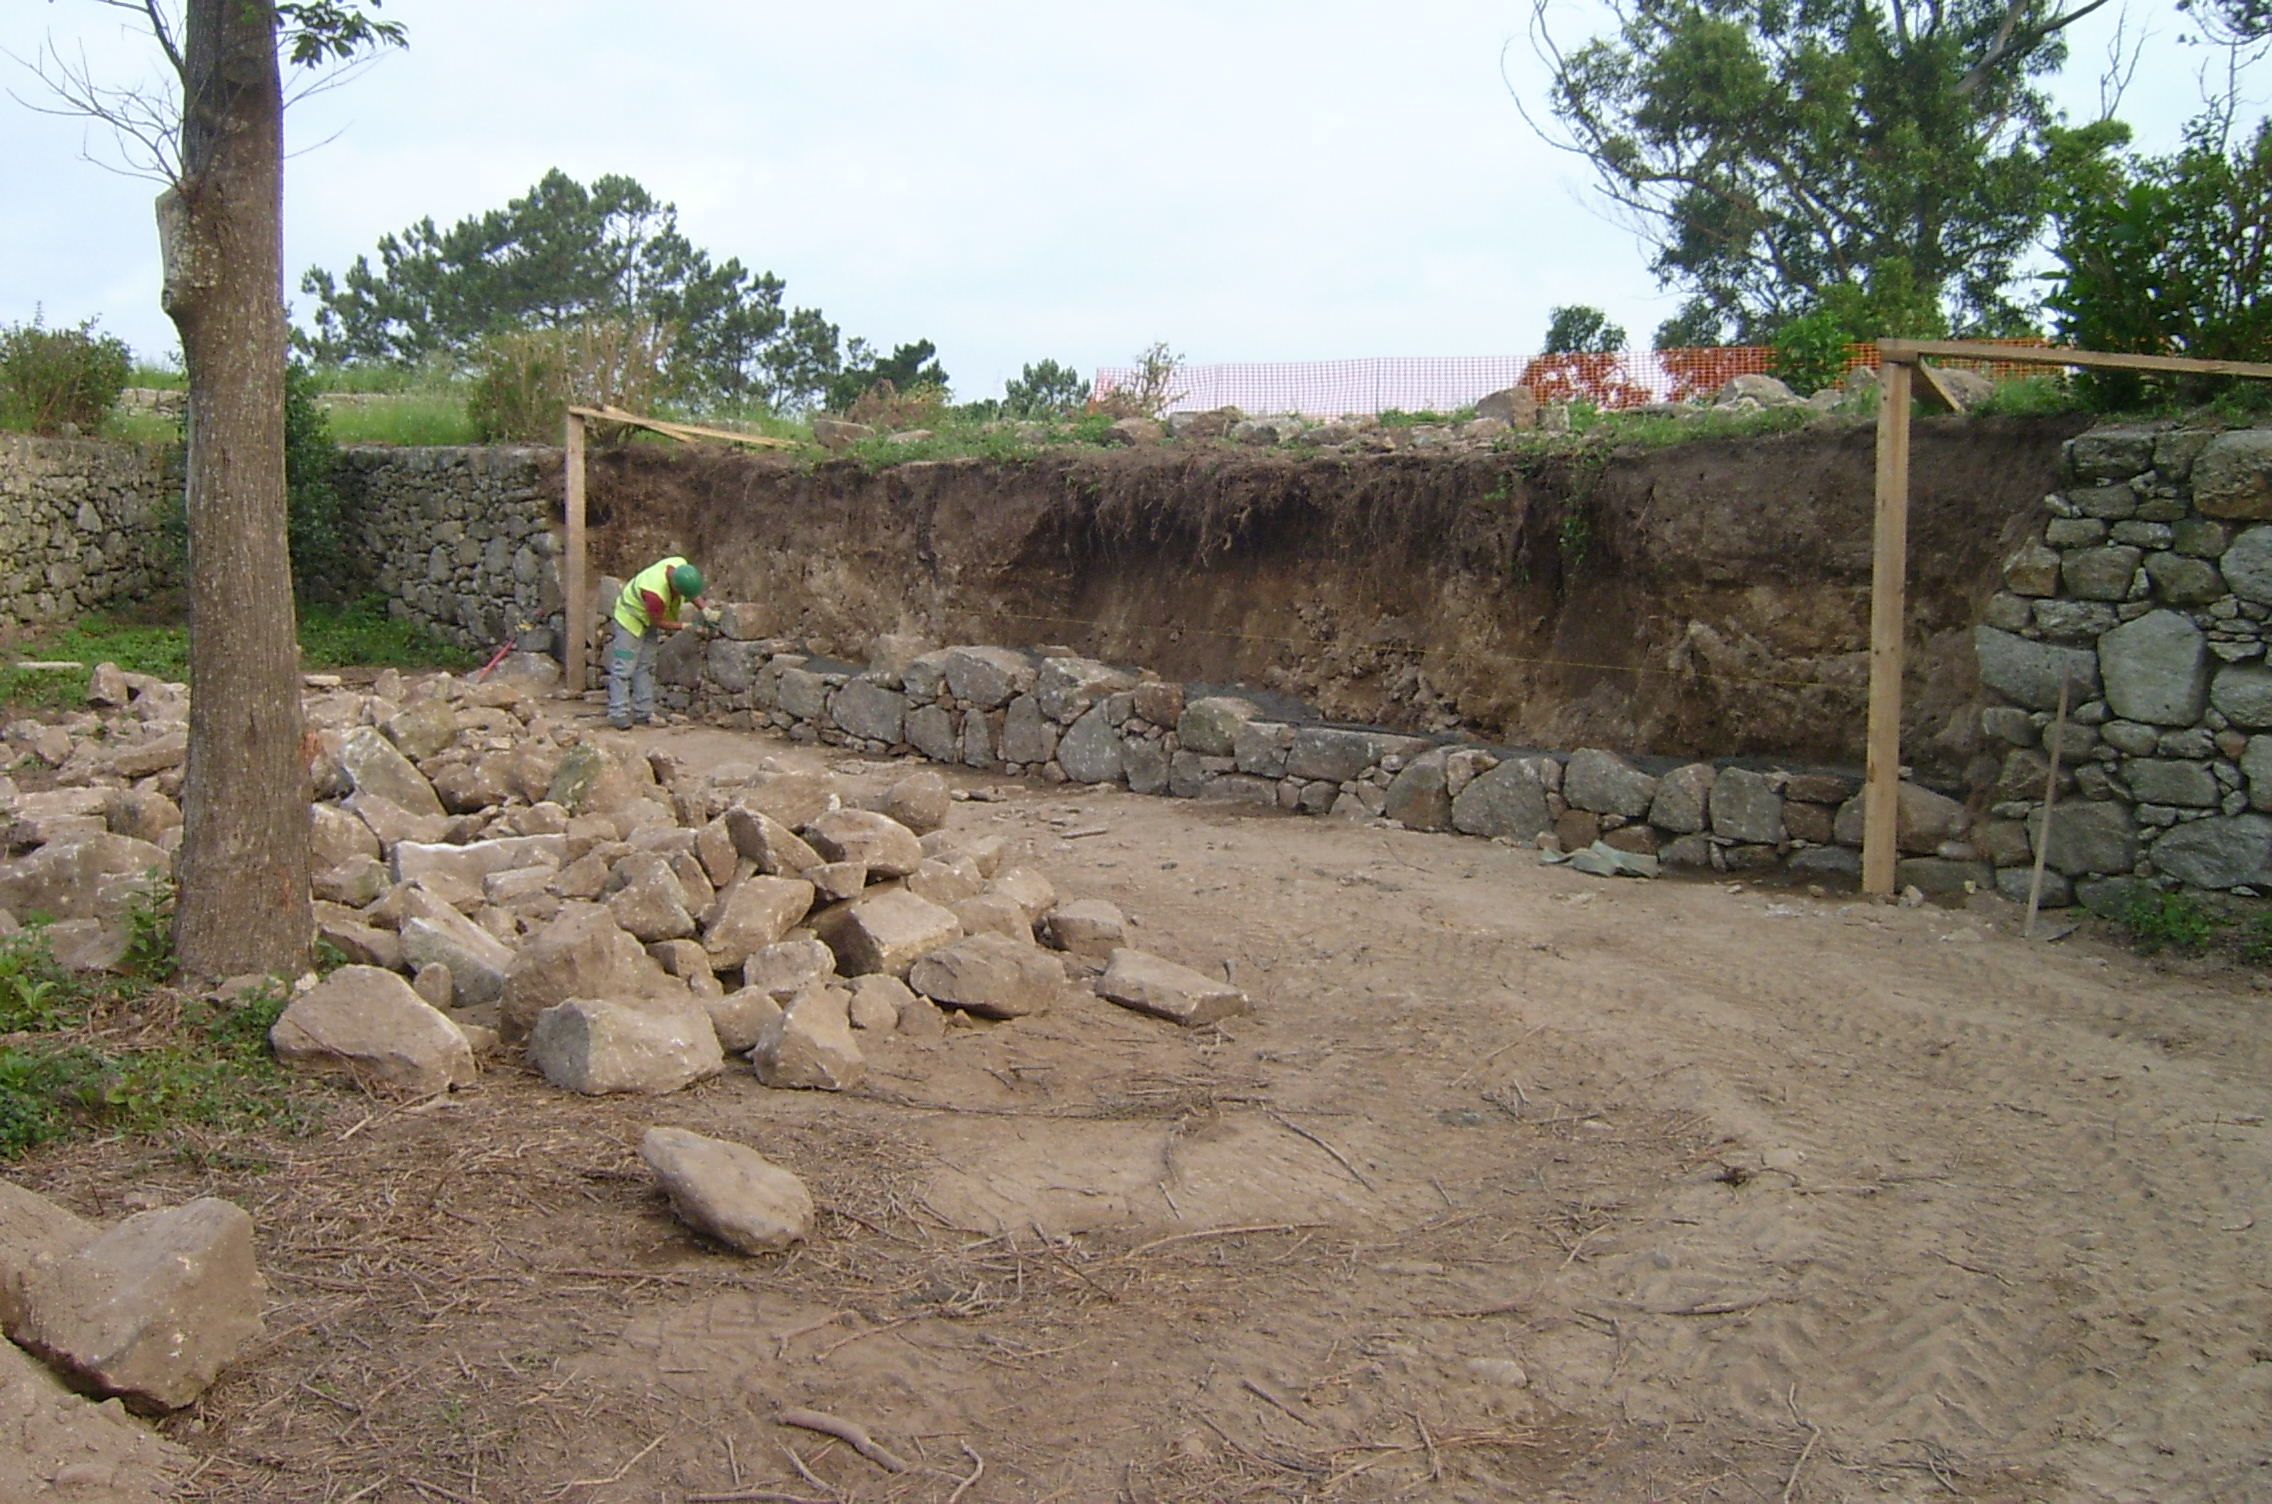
(1628, 378)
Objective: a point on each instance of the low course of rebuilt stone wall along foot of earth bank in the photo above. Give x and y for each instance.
(1071, 719)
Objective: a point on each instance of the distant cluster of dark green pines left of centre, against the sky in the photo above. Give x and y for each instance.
(567, 253)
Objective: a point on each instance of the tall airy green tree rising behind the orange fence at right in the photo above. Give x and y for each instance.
(1880, 158)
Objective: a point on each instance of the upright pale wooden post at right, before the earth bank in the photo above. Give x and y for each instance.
(1889, 571)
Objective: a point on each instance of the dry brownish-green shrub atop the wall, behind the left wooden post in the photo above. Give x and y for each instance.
(528, 378)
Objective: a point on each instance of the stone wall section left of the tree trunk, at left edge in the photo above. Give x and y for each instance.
(83, 526)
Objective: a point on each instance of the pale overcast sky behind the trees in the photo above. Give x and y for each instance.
(1248, 181)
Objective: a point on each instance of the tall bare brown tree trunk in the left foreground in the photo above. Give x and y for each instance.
(242, 876)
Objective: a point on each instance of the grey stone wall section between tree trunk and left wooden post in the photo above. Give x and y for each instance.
(462, 540)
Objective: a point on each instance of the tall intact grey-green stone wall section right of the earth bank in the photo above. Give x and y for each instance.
(2146, 592)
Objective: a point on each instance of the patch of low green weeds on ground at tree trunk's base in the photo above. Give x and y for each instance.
(119, 1055)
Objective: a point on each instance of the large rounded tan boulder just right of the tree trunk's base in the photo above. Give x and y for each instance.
(378, 1028)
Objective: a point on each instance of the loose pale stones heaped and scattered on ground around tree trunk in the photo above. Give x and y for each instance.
(494, 878)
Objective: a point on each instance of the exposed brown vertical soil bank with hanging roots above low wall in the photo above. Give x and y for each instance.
(1698, 601)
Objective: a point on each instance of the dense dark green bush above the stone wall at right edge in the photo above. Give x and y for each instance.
(2169, 256)
